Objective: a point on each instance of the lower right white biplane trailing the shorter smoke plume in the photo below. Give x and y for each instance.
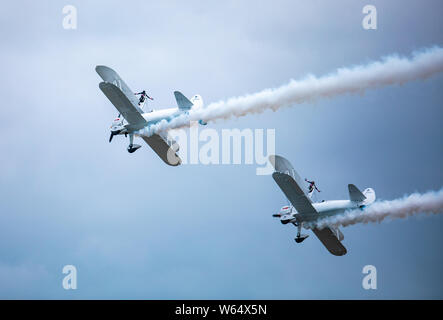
(302, 212)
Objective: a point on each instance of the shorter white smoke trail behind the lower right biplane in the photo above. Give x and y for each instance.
(427, 203)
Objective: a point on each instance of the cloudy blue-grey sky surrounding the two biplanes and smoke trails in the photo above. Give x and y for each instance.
(135, 228)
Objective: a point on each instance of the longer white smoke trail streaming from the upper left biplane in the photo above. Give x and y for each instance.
(389, 71)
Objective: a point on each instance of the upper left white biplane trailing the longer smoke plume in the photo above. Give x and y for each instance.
(131, 119)
